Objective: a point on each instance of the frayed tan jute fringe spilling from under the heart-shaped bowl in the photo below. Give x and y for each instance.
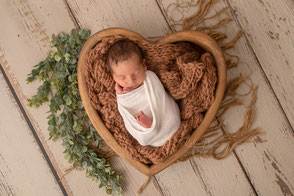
(204, 147)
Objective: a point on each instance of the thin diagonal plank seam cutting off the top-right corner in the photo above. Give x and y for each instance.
(260, 66)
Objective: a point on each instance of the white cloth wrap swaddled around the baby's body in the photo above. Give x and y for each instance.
(157, 104)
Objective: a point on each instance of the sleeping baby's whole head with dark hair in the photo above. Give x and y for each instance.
(126, 64)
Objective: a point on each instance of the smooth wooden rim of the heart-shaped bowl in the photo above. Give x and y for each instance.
(200, 39)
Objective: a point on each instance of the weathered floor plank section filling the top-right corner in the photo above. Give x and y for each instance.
(273, 44)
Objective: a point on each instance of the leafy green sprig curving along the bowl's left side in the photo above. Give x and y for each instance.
(67, 117)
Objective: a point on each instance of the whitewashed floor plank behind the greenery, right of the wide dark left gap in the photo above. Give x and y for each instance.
(24, 43)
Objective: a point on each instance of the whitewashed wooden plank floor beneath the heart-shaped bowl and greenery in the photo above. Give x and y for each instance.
(30, 164)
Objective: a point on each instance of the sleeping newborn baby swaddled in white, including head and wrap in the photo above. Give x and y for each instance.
(149, 113)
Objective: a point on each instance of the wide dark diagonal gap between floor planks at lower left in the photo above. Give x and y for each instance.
(33, 132)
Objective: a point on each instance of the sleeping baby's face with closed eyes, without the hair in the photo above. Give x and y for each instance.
(130, 73)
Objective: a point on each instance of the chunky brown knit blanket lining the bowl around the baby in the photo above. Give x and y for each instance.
(185, 70)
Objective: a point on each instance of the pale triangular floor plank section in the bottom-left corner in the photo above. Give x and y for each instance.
(23, 168)
